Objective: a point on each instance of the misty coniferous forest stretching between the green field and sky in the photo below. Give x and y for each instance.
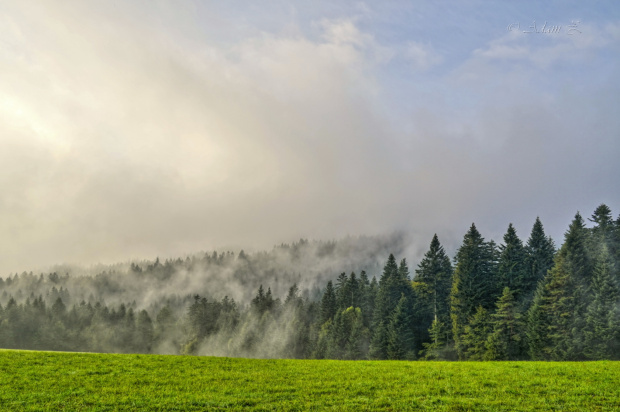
(519, 300)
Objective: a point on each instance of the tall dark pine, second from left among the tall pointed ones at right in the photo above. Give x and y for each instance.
(474, 283)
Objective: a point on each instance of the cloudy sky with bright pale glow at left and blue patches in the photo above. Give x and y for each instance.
(134, 129)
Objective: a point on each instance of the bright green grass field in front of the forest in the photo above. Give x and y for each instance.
(80, 381)
